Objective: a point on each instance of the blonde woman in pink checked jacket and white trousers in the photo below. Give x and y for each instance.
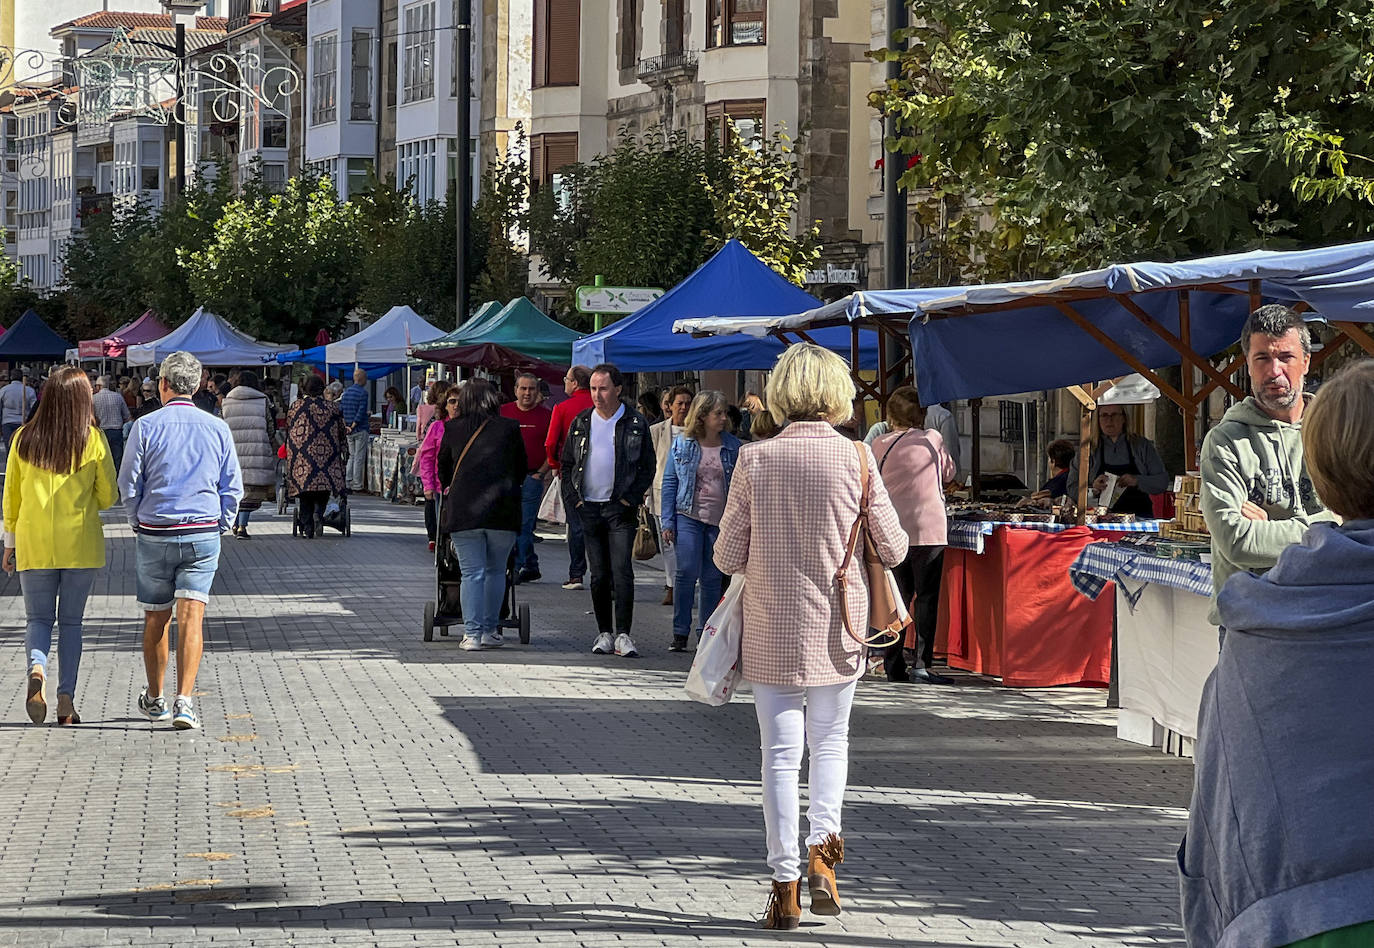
(792, 505)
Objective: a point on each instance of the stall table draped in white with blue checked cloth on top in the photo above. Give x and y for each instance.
(1166, 645)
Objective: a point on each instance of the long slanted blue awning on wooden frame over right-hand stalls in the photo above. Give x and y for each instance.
(1005, 339)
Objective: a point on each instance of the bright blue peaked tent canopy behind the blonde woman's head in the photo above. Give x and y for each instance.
(732, 284)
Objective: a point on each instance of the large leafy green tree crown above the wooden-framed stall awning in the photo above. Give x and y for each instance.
(1060, 137)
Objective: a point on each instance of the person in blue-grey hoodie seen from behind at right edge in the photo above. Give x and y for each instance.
(1280, 848)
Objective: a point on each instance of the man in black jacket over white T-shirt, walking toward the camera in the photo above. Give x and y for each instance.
(608, 465)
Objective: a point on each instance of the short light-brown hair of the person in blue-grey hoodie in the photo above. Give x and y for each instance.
(1339, 442)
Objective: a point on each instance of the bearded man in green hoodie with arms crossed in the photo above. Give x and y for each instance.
(1257, 494)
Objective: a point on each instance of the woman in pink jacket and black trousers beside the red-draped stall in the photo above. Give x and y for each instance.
(916, 468)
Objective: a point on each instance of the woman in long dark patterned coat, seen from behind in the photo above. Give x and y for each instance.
(315, 449)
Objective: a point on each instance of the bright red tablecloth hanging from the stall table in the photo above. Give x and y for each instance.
(1012, 612)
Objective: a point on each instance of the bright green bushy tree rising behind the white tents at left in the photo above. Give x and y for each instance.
(282, 266)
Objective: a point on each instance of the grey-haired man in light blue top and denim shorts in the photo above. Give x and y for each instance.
(181, 484)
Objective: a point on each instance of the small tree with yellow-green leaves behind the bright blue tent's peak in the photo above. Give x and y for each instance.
(756, 203)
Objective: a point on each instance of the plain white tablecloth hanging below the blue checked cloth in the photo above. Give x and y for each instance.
(1166, 651)
